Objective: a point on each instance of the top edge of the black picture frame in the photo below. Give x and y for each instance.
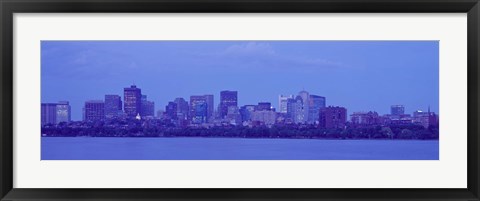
(241, 6)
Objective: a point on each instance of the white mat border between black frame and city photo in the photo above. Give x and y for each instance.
(448, 172)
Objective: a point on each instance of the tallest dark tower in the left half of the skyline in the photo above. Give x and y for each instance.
(132, 101)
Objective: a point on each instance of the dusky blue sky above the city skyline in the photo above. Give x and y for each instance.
(358, 75)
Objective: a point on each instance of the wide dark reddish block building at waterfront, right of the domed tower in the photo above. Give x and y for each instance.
(332, 117)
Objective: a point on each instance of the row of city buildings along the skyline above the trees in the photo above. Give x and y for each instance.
(111, 108)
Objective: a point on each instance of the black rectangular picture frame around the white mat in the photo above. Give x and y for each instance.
(9, 7)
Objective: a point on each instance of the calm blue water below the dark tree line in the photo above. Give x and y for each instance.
(86, 148)
